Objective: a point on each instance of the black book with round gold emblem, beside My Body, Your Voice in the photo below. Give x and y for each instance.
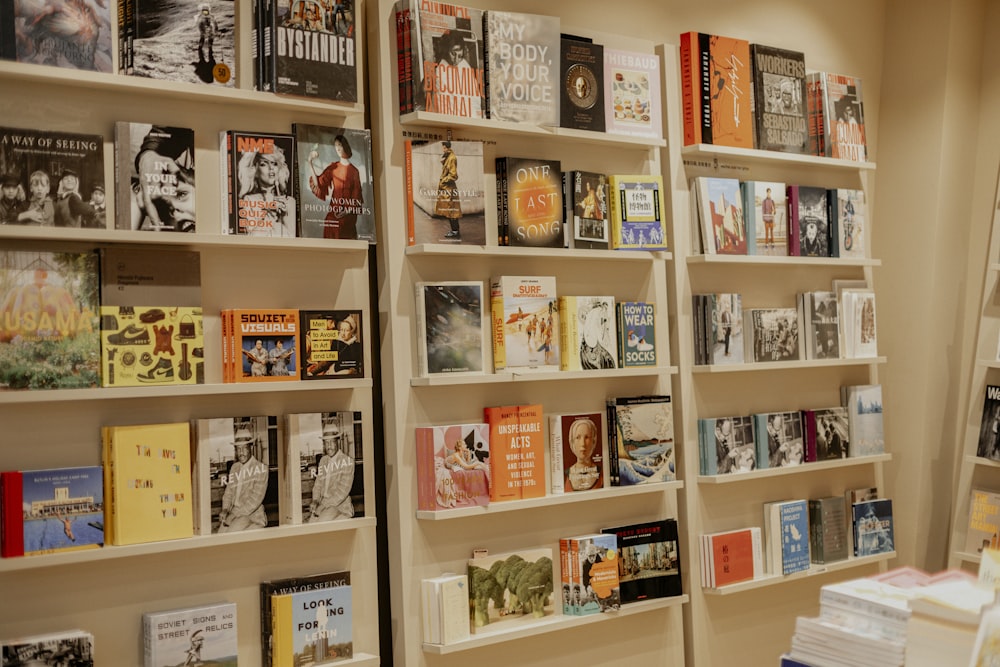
(581, 100)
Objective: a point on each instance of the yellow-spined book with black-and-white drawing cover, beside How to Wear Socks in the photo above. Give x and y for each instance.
(588, 337)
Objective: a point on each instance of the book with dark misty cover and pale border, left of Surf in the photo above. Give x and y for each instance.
(451, 327)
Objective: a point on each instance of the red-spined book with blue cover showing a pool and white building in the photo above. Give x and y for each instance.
(51, 511)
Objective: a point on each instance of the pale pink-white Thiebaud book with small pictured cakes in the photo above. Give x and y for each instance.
(632, 93)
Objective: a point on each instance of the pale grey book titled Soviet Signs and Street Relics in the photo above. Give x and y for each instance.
(193, 634)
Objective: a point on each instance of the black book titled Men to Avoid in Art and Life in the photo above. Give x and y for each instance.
(333, 344)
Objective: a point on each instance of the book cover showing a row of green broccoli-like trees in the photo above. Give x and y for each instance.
(510, 589)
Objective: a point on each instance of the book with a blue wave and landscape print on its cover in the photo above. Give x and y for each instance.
(640, 440)
